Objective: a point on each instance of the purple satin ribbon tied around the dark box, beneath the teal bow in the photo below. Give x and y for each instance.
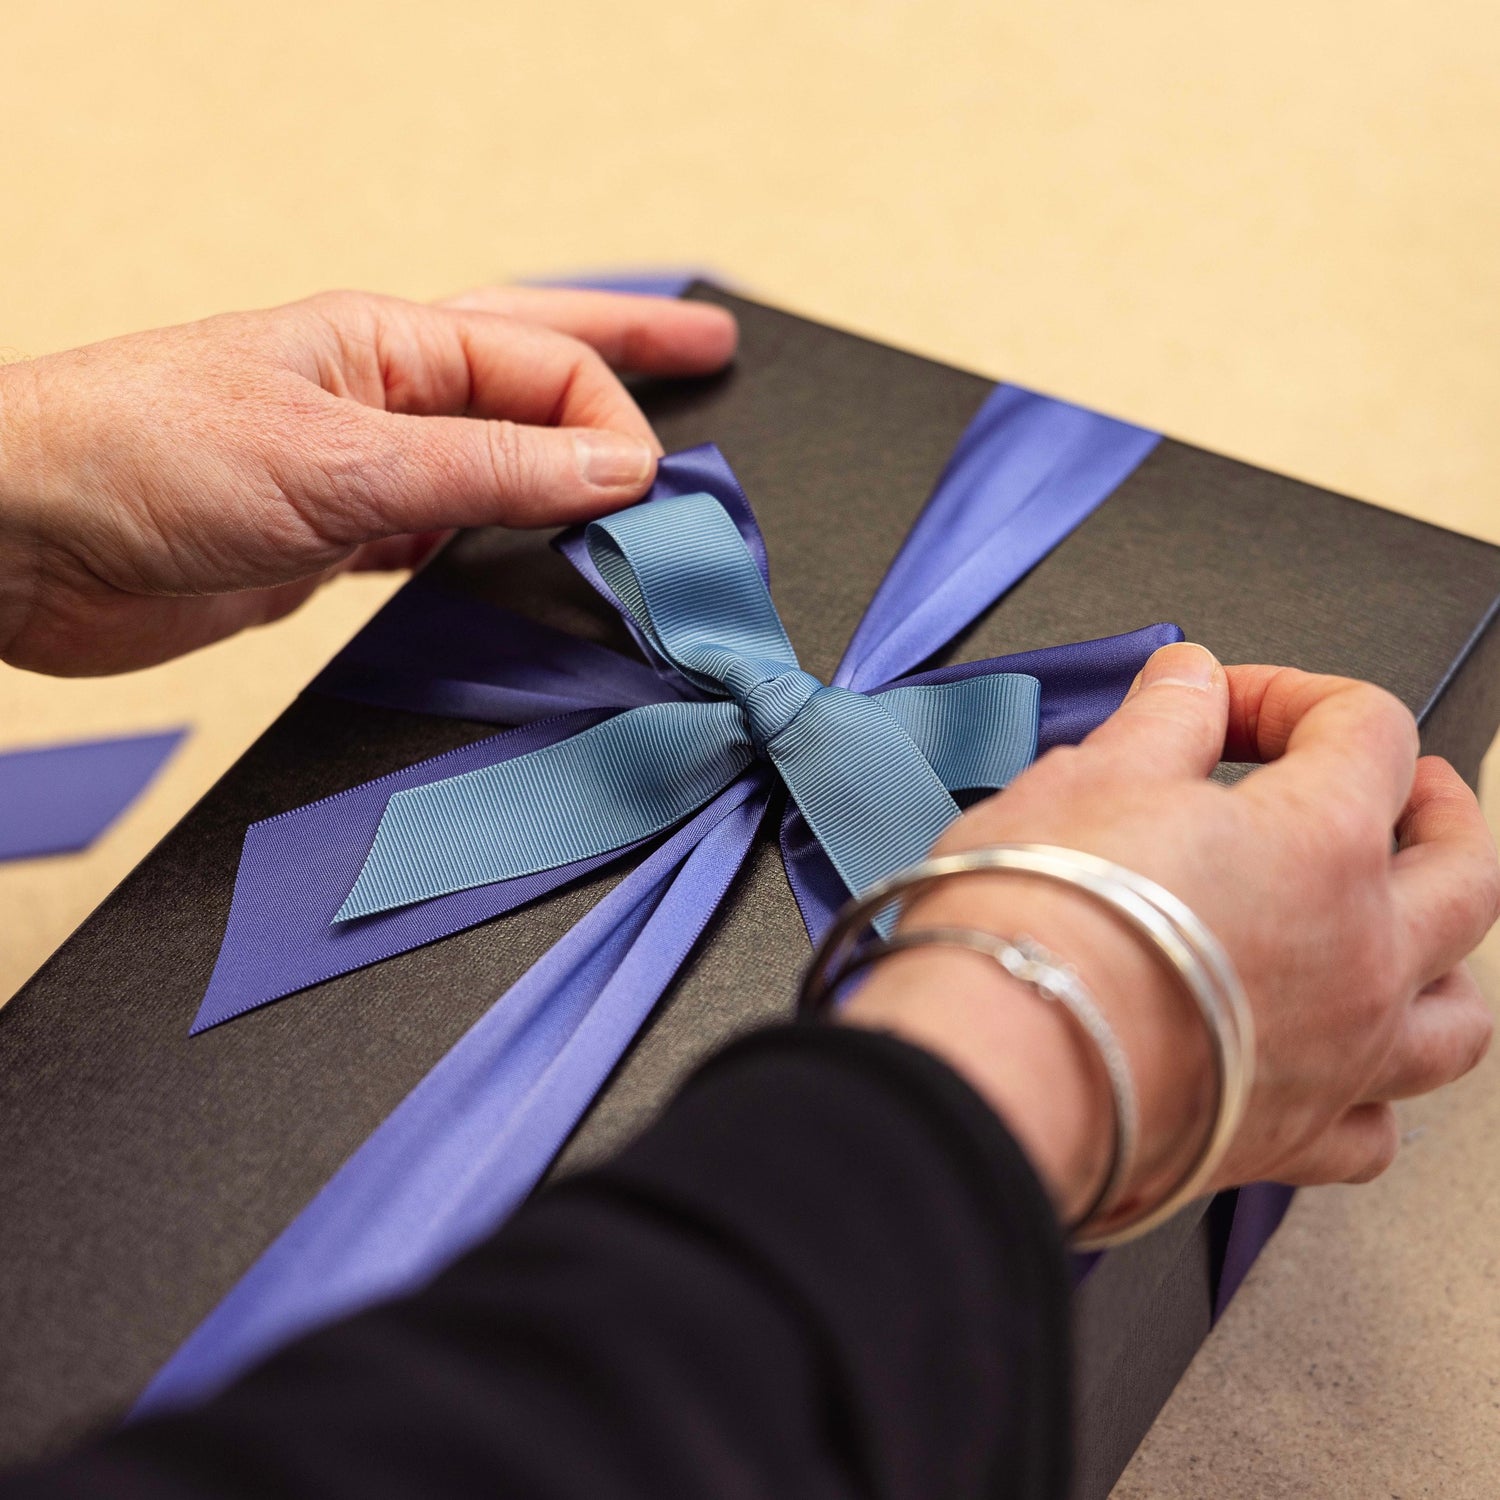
(478, 1133)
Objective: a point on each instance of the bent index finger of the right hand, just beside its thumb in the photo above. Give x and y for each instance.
(1331, 736)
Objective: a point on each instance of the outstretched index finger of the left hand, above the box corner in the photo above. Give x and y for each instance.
(646, 335)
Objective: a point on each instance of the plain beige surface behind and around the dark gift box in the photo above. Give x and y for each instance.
(1270, 230)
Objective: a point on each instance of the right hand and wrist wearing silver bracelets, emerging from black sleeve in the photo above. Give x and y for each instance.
(1351, 949)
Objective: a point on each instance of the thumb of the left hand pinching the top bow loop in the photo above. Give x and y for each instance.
(439, 473)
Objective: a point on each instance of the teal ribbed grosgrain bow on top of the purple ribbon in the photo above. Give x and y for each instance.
(872, 775)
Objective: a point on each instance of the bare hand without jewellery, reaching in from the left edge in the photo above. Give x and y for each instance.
(170, 488)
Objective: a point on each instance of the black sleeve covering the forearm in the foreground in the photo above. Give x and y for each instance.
(827, 1273)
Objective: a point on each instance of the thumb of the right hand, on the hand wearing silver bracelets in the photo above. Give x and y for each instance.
(1174, 719)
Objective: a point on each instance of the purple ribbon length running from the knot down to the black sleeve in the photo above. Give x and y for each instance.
(473, 1139)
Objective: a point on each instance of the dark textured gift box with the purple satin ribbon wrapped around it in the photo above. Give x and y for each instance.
(422, 1067)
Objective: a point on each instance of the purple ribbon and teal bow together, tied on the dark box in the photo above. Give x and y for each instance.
(686, 751)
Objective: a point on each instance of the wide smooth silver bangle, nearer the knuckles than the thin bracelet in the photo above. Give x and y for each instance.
(1172, 929)
